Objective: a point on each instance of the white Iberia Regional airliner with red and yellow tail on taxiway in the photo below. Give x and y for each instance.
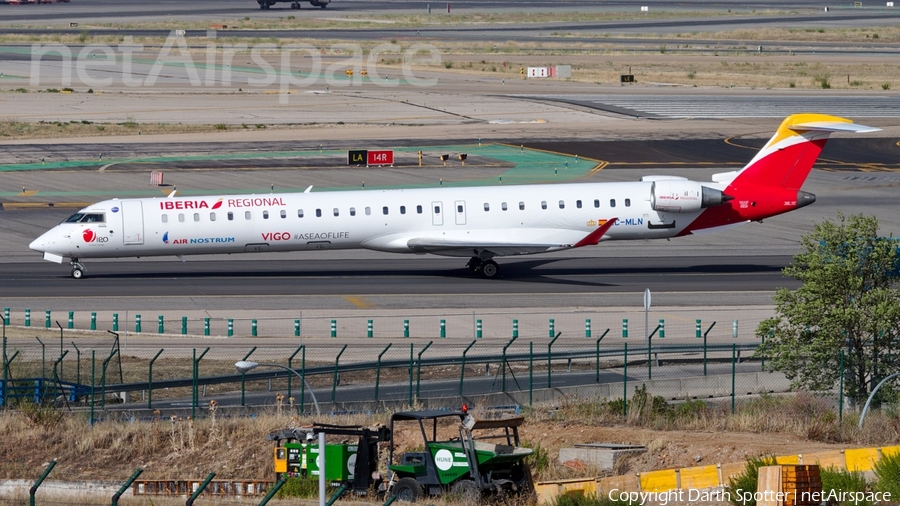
(476, 222)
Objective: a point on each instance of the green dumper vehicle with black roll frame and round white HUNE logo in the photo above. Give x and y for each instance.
(467, 466)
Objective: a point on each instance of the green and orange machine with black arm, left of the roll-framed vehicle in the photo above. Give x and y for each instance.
(353, 465)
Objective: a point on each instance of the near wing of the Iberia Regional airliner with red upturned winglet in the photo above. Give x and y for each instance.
(467, 247)
